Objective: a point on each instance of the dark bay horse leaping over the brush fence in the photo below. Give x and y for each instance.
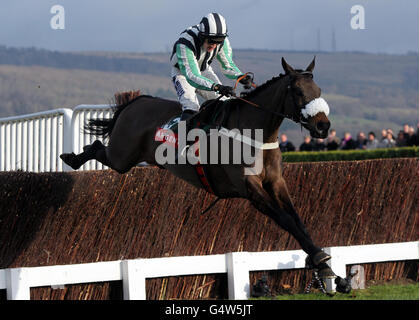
(132, 129)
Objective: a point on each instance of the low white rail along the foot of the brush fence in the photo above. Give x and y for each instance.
(237, 265)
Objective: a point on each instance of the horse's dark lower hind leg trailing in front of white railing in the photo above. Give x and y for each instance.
(95, 151)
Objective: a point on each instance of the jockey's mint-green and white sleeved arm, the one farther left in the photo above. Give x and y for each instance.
(189, 68)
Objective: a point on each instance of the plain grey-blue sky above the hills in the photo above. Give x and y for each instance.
(383, 26)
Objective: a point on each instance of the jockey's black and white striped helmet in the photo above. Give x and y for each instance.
(213, 27)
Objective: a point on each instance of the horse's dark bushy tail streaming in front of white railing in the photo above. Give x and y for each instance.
(104, 127)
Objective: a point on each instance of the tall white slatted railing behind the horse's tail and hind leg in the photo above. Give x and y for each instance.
(35, 141)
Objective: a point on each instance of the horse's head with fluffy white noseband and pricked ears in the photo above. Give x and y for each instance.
(303, 101)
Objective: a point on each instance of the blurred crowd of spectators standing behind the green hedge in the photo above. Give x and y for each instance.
(404, 138)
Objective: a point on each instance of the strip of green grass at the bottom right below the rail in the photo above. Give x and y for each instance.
(376, 292)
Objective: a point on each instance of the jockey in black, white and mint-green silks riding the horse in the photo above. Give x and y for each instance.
(192, 55)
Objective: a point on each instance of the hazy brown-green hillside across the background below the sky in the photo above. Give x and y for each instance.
(365, 91)
